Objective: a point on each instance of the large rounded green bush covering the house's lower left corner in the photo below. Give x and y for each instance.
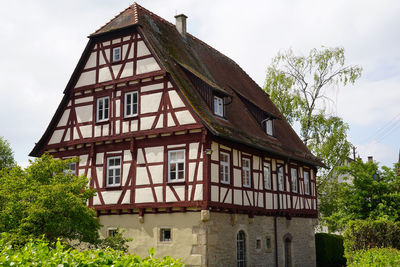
(45, 200)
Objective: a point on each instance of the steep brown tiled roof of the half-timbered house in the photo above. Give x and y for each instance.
(178, 55)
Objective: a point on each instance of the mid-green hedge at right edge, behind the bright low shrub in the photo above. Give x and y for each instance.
(363, 235)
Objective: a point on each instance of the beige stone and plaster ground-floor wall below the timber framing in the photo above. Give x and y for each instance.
(209, 238)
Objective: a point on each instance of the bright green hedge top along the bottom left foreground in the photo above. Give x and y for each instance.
(39, 252)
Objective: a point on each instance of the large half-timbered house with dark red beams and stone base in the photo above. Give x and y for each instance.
(187, 153)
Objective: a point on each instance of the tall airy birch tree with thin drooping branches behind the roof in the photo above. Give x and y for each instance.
(300, 86)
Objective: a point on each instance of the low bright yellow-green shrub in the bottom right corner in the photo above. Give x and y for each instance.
(382, 257)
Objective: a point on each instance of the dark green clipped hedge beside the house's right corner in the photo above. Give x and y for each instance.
(330, 250)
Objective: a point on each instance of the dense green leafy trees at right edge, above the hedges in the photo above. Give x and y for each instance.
(364, 197)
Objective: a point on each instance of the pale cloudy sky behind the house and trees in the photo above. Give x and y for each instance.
(42, 41)
